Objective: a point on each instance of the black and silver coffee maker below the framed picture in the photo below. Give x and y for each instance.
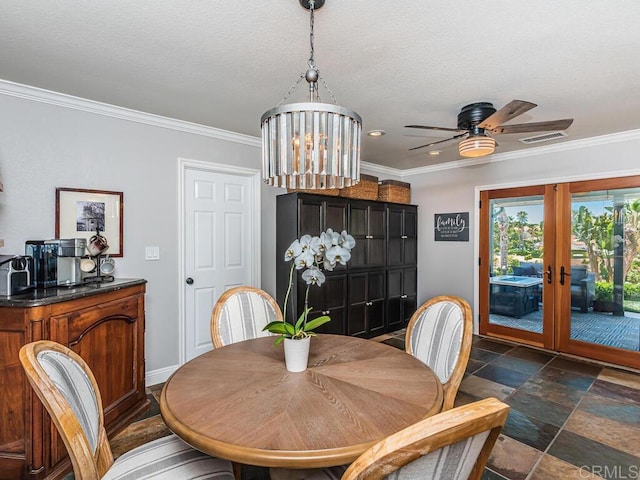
(56, 262)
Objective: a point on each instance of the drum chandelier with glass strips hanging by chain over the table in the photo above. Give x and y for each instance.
(311, 145)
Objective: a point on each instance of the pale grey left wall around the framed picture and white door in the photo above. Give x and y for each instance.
(44, 146)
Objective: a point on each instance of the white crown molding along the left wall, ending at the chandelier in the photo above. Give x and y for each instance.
(90, 106)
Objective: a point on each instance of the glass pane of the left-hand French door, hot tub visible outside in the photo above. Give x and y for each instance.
(516, 270)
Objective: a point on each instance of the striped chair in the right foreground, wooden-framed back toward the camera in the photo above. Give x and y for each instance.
(452, 445)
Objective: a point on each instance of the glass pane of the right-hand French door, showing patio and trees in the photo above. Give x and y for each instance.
(605, 268)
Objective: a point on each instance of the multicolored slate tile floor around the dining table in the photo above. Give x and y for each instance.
(569, 419)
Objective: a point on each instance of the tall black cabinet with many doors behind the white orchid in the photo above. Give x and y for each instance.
(376, 292)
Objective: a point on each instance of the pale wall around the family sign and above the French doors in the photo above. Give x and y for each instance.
(449, 268)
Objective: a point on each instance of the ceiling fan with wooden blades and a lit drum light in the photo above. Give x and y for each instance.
(477, 120)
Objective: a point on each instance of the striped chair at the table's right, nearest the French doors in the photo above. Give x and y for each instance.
(439, 334)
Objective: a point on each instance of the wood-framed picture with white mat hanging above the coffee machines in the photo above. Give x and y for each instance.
(80, 211)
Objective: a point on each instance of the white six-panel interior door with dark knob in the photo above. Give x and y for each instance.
(218, 246)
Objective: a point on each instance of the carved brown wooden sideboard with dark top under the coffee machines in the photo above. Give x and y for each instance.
(104, 324)
